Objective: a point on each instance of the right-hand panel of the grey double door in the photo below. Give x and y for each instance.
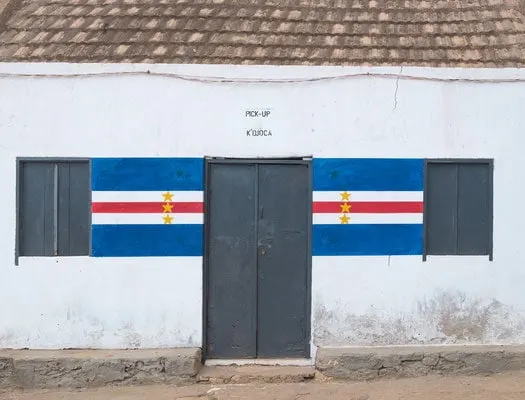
(284, 200)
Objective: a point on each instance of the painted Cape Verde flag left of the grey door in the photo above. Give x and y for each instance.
(147, 207)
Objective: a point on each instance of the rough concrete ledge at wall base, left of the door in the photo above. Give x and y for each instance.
(39, 369)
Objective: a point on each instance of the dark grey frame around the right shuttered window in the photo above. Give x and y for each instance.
(490, 163)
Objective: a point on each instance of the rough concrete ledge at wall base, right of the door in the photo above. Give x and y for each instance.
(403, 362)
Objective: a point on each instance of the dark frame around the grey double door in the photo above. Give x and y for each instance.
(208, 162)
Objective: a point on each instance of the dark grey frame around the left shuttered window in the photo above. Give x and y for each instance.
(22, 160)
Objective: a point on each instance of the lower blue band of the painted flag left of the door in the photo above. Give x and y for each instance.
(147, 240)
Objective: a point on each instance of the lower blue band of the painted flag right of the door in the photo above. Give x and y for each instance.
(367, 240)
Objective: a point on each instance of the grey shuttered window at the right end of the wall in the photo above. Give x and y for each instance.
(458, 207)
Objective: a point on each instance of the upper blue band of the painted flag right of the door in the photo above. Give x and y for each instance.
(368, 174)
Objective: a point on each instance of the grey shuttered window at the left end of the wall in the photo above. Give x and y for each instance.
(53, 208)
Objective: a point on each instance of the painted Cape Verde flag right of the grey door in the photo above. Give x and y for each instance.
(367, 207)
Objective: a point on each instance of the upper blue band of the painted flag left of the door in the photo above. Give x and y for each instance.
(130, 174)
